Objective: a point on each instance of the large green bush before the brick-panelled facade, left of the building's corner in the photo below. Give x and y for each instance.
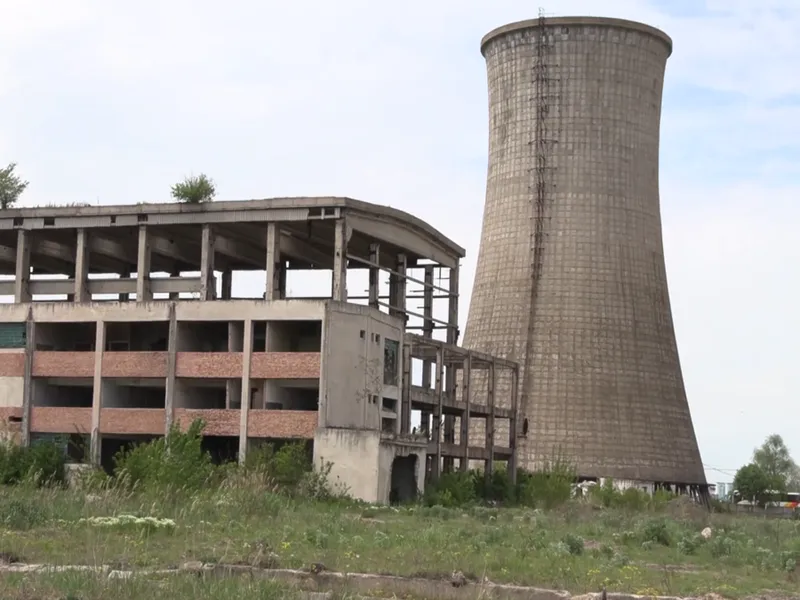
(177, 461)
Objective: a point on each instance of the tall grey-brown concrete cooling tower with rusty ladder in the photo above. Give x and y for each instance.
(570, 279)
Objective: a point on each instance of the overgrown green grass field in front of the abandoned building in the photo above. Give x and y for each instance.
(577, 547)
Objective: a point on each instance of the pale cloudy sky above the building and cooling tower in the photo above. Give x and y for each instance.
(112, 102)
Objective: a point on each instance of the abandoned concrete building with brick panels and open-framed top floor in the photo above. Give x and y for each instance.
(120, 321)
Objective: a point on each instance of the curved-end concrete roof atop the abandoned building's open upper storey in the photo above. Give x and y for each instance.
(303, 220)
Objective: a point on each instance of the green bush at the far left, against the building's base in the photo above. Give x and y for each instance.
(41, 463)
